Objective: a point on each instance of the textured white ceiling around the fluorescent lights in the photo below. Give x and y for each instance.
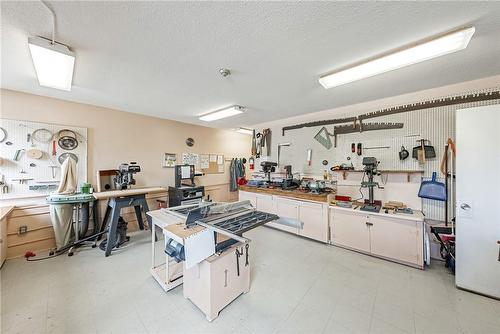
(162, 58)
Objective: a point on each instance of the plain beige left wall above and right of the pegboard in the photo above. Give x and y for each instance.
(116, 136)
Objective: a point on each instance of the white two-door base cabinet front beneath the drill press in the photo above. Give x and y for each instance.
(392, 238)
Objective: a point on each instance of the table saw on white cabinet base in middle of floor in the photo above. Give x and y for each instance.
(205, 250)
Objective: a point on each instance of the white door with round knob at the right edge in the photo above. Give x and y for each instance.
(478, 200)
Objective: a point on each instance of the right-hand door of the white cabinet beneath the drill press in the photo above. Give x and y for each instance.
(395, 239)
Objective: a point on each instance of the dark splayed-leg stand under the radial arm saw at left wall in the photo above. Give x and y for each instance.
(113, 209)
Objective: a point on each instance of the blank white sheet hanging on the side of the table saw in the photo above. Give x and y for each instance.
(198, 247)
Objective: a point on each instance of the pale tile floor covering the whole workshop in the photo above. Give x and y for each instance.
(297, 286)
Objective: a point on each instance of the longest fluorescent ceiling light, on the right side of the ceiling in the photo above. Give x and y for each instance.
(418, 52)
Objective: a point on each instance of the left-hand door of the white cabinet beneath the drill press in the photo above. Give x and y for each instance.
(350, 230)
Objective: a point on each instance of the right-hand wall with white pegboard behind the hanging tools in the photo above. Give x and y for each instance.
(436, 124)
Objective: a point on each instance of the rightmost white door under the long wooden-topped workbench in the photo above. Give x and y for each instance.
(314, 219)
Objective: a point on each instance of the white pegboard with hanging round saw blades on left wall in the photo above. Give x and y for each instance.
(23, 139)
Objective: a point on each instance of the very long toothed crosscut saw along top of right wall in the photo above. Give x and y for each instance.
(440, 102)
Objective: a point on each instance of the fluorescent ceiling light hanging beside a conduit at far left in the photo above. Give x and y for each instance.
(54, 63)
